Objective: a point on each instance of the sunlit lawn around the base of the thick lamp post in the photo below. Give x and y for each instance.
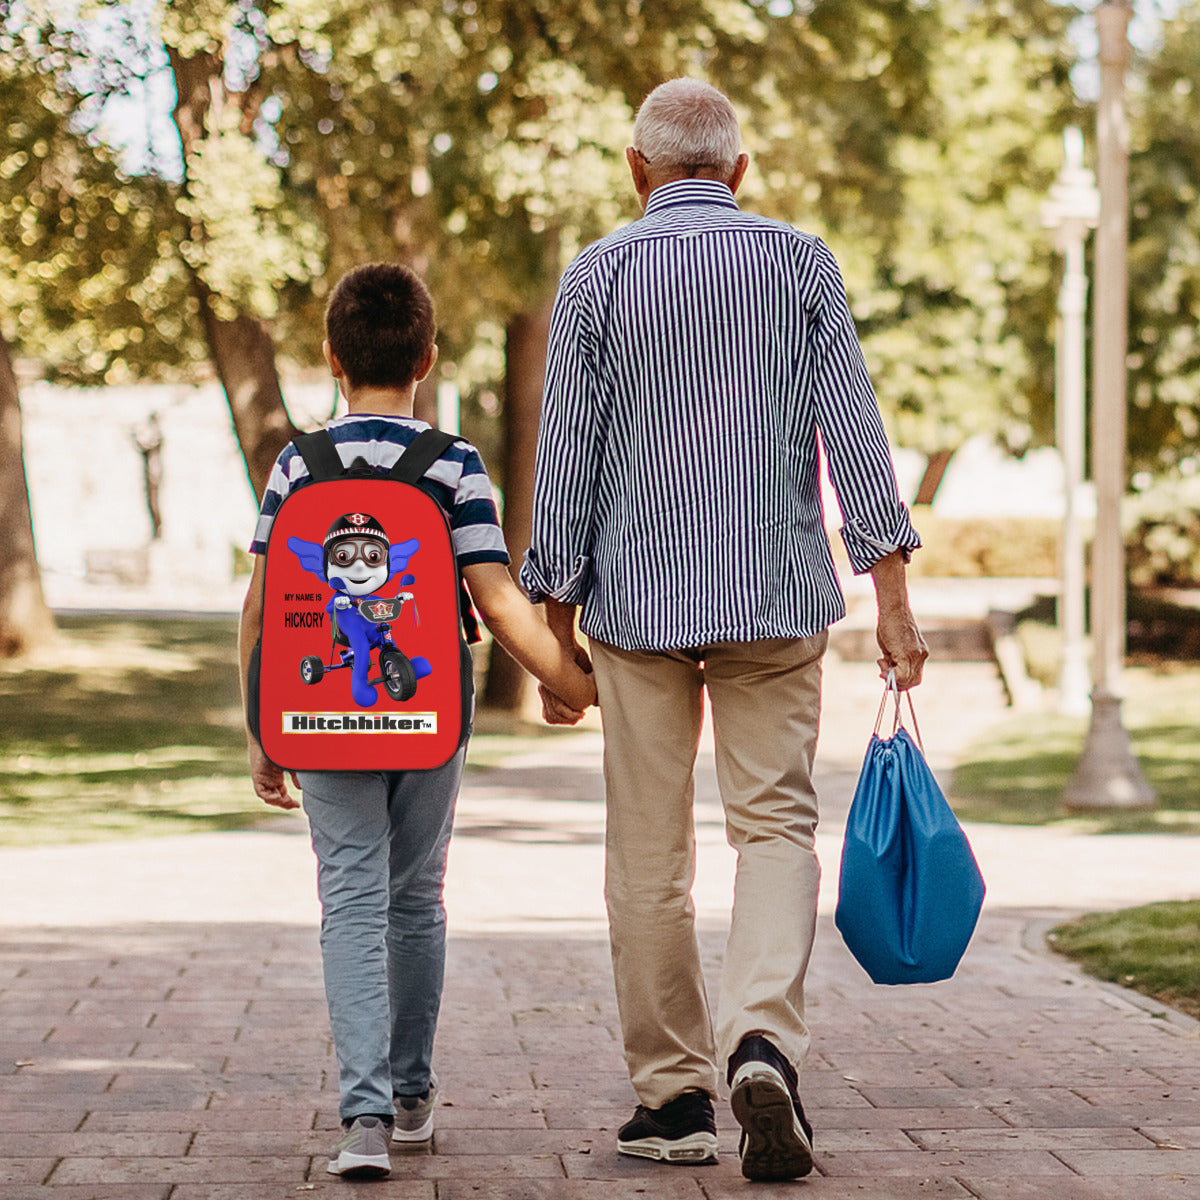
(1017, 771)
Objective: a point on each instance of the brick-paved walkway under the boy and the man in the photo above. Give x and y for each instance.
(164, 1035)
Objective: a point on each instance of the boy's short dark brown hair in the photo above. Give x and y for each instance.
(380, 325)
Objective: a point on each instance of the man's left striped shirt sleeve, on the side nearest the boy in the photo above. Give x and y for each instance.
(559, 561)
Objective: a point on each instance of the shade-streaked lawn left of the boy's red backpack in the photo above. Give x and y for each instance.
(129, 727)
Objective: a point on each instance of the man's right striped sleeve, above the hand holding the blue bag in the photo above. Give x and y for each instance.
(875, 521)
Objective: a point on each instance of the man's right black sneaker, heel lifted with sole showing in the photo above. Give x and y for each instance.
(777, 1138)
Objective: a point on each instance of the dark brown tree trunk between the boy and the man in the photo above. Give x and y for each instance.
(525, 373)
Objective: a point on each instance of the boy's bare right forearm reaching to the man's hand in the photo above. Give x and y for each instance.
(519, 627)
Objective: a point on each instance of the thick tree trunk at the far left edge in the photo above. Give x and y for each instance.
(26, 622)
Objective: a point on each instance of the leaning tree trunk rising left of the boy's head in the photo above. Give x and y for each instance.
(242, 350)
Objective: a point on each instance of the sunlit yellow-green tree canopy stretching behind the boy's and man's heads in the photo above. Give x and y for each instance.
(484, 145)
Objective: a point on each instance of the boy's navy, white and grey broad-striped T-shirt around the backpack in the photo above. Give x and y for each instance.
(459, 482)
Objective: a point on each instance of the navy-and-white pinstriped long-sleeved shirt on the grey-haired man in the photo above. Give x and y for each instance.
(698, 358)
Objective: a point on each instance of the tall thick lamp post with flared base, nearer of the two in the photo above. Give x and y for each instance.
(1108, 775)
